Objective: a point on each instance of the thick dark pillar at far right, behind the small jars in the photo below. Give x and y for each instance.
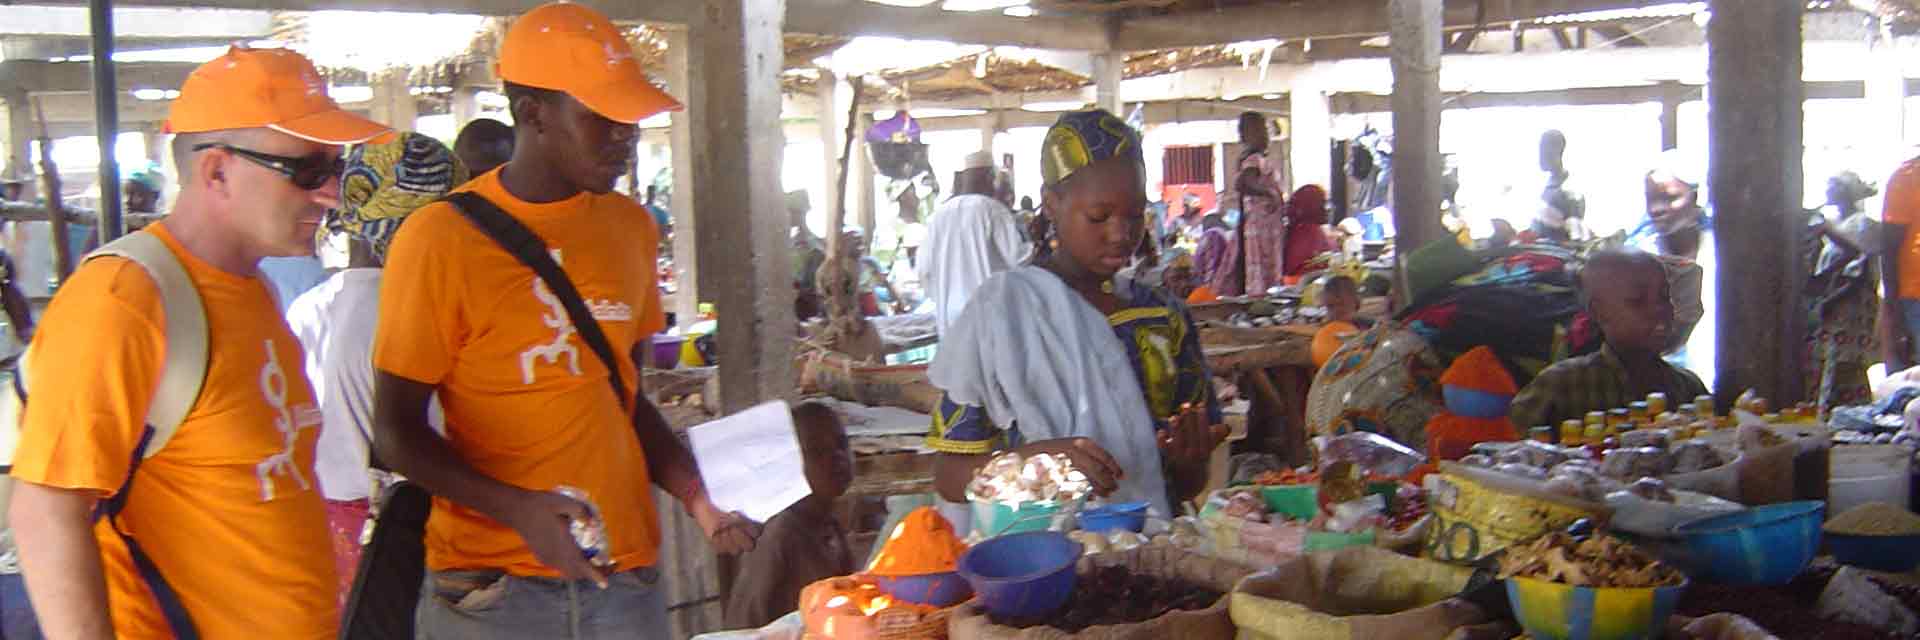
(1754, 180)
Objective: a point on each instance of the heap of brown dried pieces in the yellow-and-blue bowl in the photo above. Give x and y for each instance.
(1595, 562)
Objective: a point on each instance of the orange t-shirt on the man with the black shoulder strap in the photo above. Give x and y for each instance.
(527, 401)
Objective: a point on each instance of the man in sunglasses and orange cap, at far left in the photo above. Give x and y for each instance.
(214, 529)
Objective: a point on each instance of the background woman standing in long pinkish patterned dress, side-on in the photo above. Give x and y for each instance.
(1262, 201)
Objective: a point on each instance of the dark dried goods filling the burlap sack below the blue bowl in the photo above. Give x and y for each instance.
(1120, 597)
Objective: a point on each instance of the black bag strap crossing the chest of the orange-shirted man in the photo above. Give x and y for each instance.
(533, 253)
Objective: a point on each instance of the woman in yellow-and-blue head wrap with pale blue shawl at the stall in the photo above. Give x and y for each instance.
(1061, 357)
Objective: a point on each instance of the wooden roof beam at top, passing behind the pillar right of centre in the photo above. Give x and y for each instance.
(1326, 20)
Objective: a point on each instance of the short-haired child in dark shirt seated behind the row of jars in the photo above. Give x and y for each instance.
(1627, 297)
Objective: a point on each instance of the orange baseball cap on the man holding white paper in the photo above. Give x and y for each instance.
(581, 53)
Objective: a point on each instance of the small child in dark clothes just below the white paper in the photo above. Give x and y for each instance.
(805, 543)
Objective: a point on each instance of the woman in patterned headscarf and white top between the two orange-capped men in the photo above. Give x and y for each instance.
(335, 322)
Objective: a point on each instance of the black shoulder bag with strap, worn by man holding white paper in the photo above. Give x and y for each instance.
(395, 564)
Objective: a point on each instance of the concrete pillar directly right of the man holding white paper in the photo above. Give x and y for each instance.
(746, 243)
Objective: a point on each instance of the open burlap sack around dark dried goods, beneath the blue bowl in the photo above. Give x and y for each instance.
(1212, 624)
